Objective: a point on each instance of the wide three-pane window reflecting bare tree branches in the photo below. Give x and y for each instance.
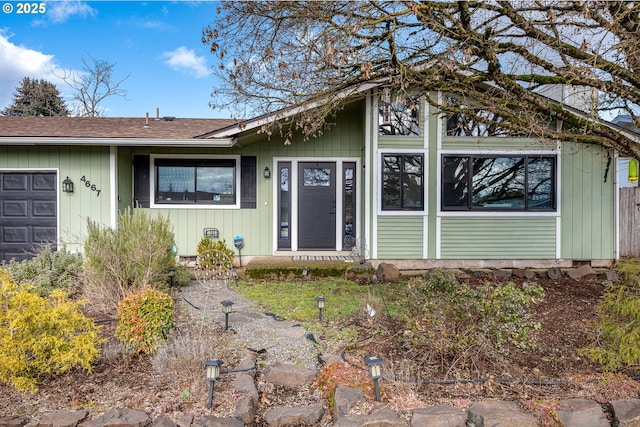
(513, 183)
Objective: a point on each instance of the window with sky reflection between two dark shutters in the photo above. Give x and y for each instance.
(195, 181)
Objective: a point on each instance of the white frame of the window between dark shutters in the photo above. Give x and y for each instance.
(194, 159)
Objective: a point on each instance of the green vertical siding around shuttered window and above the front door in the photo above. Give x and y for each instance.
(346, 139)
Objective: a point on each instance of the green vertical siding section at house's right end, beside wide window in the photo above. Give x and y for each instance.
(587, 206)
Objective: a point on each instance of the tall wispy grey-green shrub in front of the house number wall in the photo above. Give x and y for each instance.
(138, 253)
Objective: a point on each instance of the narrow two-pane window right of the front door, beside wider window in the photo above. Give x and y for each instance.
(402, 182)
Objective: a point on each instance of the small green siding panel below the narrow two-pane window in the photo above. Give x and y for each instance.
(400, 237)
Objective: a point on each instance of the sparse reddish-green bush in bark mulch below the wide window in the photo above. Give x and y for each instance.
(459, 322)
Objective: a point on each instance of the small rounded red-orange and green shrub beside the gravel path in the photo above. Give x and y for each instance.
(145, 317)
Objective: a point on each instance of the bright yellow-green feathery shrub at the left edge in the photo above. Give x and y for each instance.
(42, 337)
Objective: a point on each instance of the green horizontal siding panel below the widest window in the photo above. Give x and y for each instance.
(498, 238)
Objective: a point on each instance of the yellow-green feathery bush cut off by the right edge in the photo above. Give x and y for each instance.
(618, 328)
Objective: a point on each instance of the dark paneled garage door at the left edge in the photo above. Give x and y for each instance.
(28, 210)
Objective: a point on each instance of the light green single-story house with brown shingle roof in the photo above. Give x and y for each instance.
(392, 180)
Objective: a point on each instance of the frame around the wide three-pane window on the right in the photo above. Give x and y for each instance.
(469, 208)
